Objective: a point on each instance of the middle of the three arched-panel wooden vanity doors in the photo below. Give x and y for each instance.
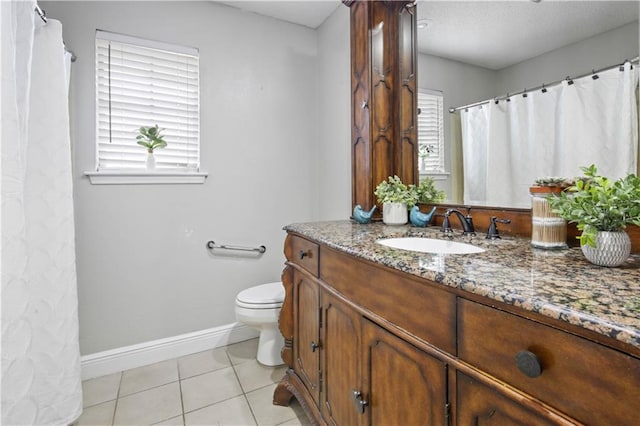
(341, 362)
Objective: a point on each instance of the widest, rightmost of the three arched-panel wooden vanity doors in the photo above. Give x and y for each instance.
(404, 385)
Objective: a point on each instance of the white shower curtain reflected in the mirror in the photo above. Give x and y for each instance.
(510, 144)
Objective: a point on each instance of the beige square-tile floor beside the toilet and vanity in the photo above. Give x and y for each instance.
(224, 386)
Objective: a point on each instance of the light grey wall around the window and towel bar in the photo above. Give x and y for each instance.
(143, 270)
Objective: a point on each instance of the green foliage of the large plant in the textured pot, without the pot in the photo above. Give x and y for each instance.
(596, 203)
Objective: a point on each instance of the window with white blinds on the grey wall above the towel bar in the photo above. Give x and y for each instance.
(143, 83)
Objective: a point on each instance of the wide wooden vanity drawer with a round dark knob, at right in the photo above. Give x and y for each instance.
(589, 382)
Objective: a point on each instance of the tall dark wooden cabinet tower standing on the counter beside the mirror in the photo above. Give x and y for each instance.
(384, 139)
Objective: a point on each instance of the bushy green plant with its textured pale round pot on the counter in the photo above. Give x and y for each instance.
(601, 208)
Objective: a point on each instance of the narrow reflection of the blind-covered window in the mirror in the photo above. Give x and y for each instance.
(431, 131)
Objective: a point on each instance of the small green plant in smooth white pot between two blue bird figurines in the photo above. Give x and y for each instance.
(396, 198)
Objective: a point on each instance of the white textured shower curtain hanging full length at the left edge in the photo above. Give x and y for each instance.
(41, 382)
